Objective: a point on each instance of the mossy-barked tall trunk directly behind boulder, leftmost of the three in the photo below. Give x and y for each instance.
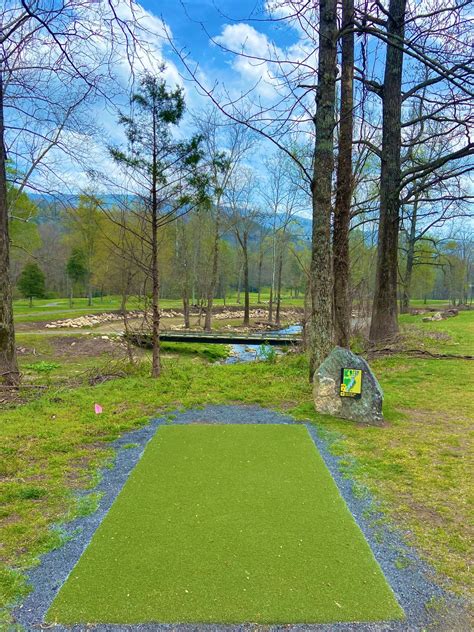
(321, 328)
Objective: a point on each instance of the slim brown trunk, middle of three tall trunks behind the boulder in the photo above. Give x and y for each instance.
(342, 211)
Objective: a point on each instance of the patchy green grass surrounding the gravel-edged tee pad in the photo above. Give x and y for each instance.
(418, 465)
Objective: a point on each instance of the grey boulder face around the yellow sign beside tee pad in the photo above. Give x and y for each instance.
(364, 408)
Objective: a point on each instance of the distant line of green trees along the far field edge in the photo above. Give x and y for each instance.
(79, 253)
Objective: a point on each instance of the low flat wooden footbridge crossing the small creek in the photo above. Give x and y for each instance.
(273, 338)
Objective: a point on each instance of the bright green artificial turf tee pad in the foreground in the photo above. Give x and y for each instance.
(227, 524)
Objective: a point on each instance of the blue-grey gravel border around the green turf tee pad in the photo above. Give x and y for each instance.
(410, 584)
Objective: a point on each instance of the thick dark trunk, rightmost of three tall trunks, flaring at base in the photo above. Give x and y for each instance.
(384, 312)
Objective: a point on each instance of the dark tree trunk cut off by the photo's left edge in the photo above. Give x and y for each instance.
(9, 373)
